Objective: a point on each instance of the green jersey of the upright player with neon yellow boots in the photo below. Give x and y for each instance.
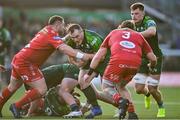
(153, 41)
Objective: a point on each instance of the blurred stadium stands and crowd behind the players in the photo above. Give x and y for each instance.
(25, 17)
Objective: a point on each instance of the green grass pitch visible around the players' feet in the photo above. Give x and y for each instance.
(171, 99)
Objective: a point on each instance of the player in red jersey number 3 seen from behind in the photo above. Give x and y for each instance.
(126, 48)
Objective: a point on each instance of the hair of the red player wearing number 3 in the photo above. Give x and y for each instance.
(127, 24)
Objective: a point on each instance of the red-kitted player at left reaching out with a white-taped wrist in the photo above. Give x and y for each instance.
(26, 63)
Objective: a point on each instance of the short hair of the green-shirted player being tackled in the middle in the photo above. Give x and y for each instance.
(71, 27)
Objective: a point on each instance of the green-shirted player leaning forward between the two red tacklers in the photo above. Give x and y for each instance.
(88, 42)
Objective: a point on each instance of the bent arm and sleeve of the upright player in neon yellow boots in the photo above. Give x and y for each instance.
(151, 30)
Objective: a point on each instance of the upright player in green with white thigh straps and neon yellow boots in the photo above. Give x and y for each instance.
(147, 27)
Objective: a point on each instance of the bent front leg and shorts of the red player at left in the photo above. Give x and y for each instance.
(36, 81)
